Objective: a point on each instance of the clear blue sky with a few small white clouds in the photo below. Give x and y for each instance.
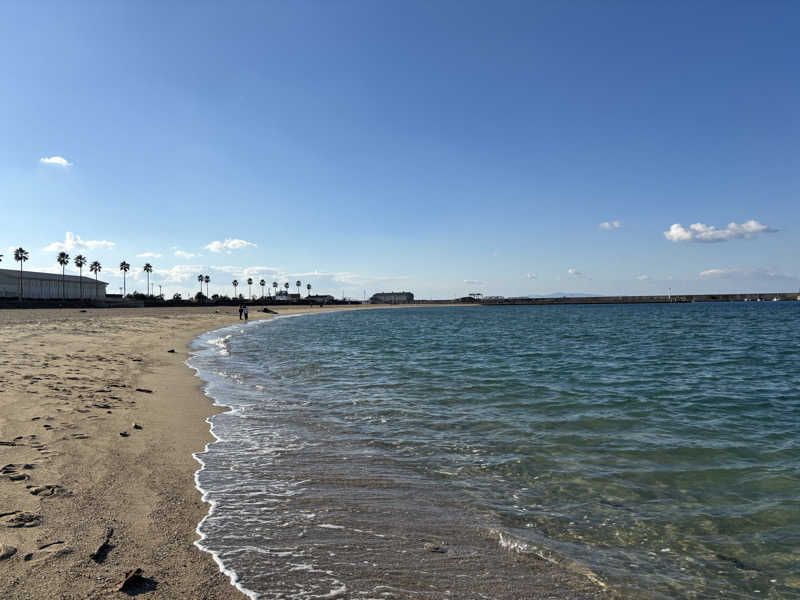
(436, 147)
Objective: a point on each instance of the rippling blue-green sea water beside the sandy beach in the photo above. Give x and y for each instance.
(656, 445)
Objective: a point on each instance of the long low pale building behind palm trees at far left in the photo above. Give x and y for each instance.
(49, 286)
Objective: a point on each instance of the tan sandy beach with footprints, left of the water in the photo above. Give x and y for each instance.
(69, 387)
